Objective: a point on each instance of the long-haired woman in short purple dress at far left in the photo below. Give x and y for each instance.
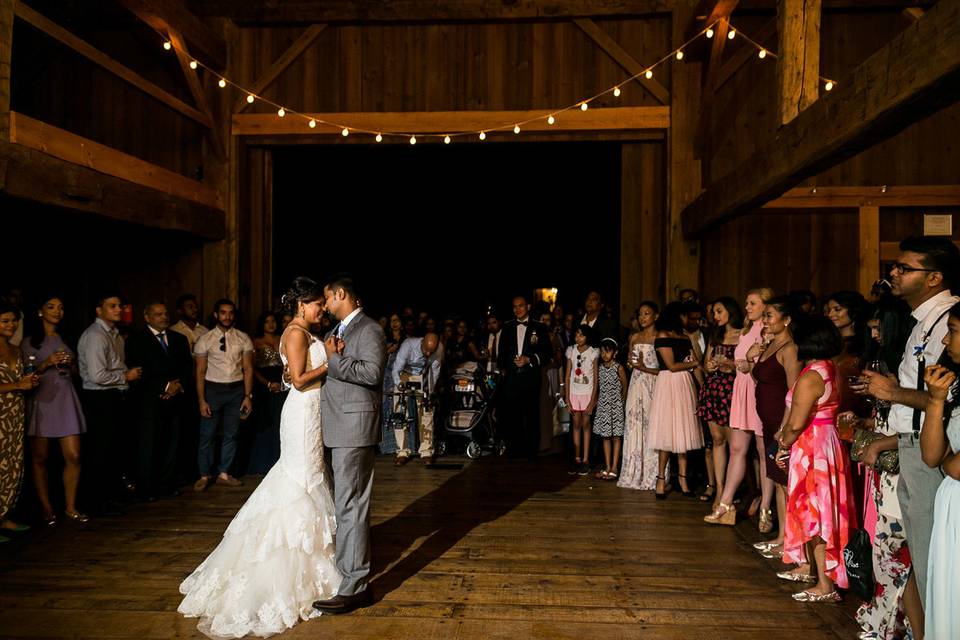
(54, 411)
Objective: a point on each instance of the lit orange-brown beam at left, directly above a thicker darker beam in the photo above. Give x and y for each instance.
(78, 150)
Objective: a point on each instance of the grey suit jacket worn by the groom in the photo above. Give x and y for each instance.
(352, 397)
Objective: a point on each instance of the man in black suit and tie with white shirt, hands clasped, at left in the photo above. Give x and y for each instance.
(158, 397)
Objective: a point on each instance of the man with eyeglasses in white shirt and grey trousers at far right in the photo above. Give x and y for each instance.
(922, 276)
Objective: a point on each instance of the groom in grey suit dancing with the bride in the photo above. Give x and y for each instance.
(351, 401)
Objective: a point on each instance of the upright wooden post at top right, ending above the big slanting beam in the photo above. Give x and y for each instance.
(798, 67)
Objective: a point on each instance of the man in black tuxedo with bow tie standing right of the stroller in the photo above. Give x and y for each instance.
(524, 349)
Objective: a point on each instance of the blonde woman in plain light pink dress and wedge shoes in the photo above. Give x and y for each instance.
(744, 422)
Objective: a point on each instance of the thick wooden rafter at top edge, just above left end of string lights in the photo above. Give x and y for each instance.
(165, 15)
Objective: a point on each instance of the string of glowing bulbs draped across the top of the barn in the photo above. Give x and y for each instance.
(677, 53)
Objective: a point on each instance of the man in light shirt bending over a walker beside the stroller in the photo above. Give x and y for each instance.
(417, 357)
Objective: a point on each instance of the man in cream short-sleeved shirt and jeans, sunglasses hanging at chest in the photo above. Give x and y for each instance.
(224, 364)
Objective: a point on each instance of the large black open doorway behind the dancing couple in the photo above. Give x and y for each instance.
(451, 229)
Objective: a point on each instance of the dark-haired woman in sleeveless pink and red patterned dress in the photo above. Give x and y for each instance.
(820, 506)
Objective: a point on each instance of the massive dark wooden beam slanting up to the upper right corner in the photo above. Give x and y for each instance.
(915, 74)
